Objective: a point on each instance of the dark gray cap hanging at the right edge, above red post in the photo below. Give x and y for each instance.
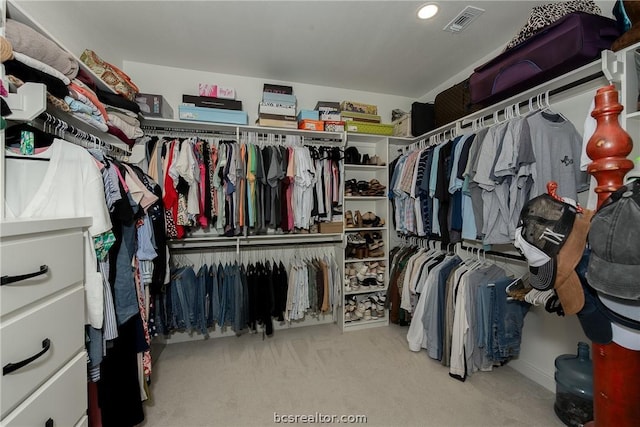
(614, 265)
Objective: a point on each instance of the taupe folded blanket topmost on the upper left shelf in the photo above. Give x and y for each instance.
(26, 40)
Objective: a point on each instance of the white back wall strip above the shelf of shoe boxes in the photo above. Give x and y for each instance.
(172, 83)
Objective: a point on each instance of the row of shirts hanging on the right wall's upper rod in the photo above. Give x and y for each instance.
(474, 186)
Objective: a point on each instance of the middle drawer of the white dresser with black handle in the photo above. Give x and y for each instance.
(60, 320)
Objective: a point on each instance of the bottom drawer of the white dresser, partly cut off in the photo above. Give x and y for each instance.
(62, 399)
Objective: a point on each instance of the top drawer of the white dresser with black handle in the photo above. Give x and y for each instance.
(63, 255)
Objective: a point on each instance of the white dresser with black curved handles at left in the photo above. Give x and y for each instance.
(44, 363)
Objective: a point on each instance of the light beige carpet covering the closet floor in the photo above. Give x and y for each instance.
(243, 381)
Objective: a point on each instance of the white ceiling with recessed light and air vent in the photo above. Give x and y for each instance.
(374, 46)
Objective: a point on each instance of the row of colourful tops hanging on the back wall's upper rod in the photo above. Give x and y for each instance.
(251, 187)
